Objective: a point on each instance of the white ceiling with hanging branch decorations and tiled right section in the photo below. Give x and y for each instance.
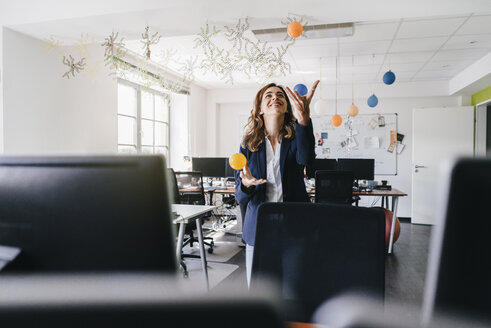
(416, 48)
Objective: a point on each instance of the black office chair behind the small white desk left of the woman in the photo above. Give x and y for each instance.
(190, 180)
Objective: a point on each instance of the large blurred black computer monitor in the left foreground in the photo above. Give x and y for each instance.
(86, 214)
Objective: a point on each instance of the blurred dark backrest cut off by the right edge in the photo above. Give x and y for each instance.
(458, 276)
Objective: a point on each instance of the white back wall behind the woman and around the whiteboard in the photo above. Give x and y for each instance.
(229, 103)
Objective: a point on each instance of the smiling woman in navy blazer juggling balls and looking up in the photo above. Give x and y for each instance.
(278, 143)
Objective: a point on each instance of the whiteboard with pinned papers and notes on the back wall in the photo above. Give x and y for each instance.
(362, 136)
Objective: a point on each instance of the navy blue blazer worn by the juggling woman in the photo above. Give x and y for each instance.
(295, 154)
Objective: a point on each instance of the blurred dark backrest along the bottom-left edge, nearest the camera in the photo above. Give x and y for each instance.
(129, 301)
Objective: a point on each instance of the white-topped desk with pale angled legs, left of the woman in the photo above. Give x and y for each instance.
(185, 214)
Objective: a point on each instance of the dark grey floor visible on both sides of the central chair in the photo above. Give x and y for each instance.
(405, 268)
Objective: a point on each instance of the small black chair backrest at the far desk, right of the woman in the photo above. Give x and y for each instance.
(334, 187)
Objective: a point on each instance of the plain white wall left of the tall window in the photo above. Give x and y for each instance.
(47, 114)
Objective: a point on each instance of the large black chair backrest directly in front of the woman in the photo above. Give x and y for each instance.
(315, 251)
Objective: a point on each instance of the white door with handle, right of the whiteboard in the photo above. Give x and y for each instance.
(439, 134)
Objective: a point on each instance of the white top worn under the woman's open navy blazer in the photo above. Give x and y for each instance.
(274, 188)
